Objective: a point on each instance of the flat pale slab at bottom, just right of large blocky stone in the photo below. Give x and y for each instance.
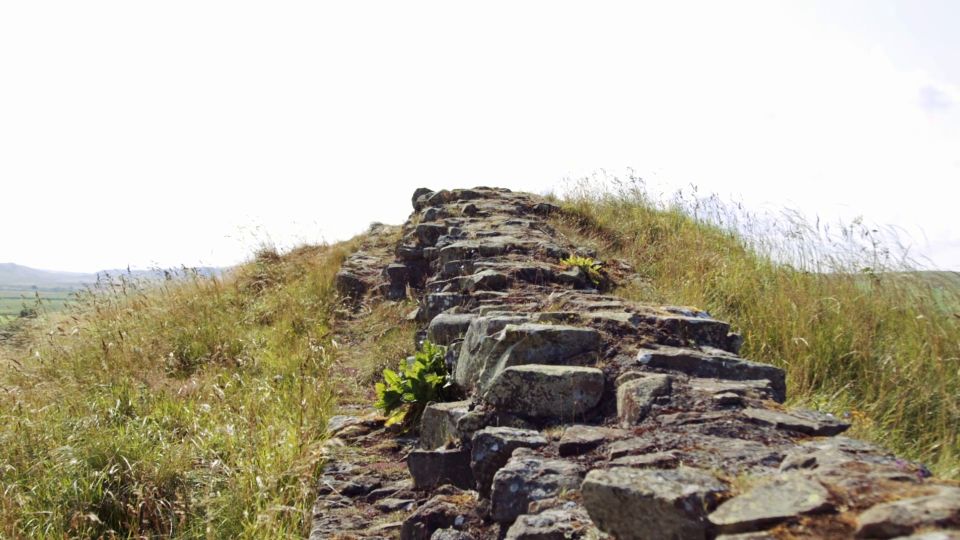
(771, 503)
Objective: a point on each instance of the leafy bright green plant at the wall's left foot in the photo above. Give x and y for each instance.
(404, 393)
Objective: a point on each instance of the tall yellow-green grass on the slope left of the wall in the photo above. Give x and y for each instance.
(193, 408)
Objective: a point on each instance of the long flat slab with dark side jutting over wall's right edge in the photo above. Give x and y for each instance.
(714, 364)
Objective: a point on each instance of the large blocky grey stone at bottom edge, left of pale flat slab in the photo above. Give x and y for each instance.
(648, 504)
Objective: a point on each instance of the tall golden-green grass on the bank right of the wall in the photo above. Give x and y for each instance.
(858, 332)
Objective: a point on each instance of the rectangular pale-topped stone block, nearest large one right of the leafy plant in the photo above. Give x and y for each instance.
(542, 391)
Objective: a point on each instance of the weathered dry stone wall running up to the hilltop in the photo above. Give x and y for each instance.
(589, 416)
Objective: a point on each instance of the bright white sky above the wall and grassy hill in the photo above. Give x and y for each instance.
(186, 132)
